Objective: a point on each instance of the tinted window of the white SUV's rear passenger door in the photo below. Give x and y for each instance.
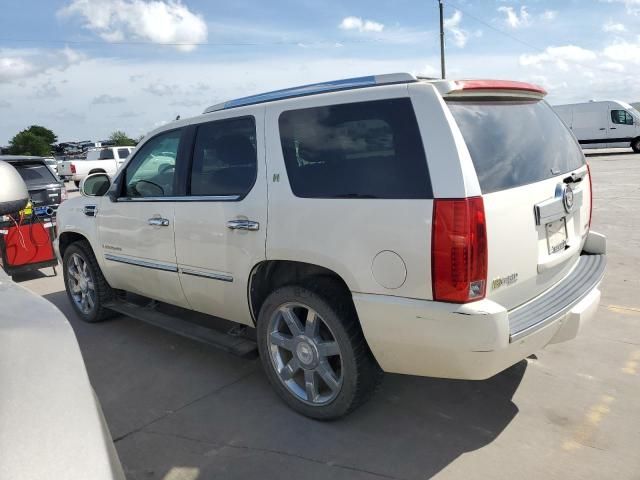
(224, 158)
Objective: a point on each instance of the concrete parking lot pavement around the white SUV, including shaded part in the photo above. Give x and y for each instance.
(178, 409)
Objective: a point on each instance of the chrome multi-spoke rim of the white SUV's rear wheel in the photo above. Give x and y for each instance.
(305, 354)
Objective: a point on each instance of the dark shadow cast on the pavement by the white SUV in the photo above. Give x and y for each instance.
(173, 403)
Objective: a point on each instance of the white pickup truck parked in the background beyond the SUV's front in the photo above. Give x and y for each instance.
(99, 160)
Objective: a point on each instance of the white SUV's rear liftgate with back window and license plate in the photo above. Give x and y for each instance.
(535, 187)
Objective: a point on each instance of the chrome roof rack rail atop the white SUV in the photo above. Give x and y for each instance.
(315, 88)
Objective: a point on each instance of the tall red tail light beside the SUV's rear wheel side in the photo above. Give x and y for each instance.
(459, 250)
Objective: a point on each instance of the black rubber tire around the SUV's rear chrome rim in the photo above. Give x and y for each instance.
(360, 372)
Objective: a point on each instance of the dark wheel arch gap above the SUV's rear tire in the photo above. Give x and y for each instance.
(270, 275)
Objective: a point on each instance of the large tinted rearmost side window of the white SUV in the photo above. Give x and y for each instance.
(355, 150)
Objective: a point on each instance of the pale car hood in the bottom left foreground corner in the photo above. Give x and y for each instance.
(51, 425)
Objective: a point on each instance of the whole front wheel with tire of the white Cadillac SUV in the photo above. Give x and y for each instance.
(87, 289)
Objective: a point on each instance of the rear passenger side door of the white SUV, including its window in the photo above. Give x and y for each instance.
(221, 224)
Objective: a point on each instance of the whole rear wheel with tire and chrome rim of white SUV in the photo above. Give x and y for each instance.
(314, 352)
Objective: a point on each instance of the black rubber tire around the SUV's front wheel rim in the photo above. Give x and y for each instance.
(103, 293)
